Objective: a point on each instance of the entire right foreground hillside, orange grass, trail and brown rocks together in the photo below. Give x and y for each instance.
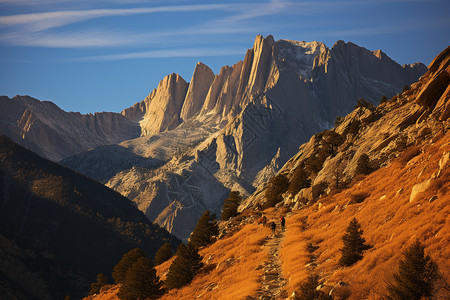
(399, 195)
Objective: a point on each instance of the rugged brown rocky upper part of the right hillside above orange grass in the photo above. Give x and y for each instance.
(411, 118)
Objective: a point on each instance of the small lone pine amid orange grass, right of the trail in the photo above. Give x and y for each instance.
(354, 244)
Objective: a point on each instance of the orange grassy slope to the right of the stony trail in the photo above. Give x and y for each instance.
(389, 220)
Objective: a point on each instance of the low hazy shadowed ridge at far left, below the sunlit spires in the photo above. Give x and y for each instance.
(43, 127)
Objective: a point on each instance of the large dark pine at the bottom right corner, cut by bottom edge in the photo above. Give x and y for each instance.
(416, 277)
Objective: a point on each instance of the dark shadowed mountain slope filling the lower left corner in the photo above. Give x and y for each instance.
(60, 228)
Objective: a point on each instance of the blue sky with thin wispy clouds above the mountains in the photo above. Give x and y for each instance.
(105, 55)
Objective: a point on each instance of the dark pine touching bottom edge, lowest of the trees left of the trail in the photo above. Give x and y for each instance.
(141, 282)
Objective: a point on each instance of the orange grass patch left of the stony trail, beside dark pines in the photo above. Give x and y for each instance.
(231, 268)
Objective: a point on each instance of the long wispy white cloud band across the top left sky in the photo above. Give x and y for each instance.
(43, 29)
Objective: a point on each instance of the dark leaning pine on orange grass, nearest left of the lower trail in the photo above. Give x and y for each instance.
(183, 269)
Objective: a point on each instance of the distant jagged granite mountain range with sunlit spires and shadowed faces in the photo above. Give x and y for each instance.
(185, 146)
